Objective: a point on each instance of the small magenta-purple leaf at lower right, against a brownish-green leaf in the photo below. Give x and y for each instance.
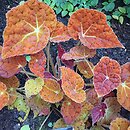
(98, 112)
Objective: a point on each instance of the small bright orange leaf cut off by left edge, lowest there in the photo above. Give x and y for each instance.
(4, 96)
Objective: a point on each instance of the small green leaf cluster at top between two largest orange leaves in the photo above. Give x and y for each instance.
(67, 7)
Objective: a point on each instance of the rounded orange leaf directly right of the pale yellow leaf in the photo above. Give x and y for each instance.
(51, 91)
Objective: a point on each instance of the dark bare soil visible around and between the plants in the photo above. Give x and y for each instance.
(9, 118)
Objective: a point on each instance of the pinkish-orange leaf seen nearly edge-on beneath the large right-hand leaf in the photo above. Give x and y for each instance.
(79, 52)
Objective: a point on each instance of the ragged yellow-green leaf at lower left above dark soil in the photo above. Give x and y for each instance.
(21, 105)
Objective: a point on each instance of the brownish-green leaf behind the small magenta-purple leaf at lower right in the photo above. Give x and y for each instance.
(112, 111)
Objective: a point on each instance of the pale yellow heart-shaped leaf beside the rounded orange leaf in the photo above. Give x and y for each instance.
(33, 86)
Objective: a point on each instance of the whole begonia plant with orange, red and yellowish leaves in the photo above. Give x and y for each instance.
(81, 90)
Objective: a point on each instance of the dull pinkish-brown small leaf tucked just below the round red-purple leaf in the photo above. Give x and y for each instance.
(92, 97)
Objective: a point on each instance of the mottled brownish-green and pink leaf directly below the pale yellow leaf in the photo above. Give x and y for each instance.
(38, 106)
